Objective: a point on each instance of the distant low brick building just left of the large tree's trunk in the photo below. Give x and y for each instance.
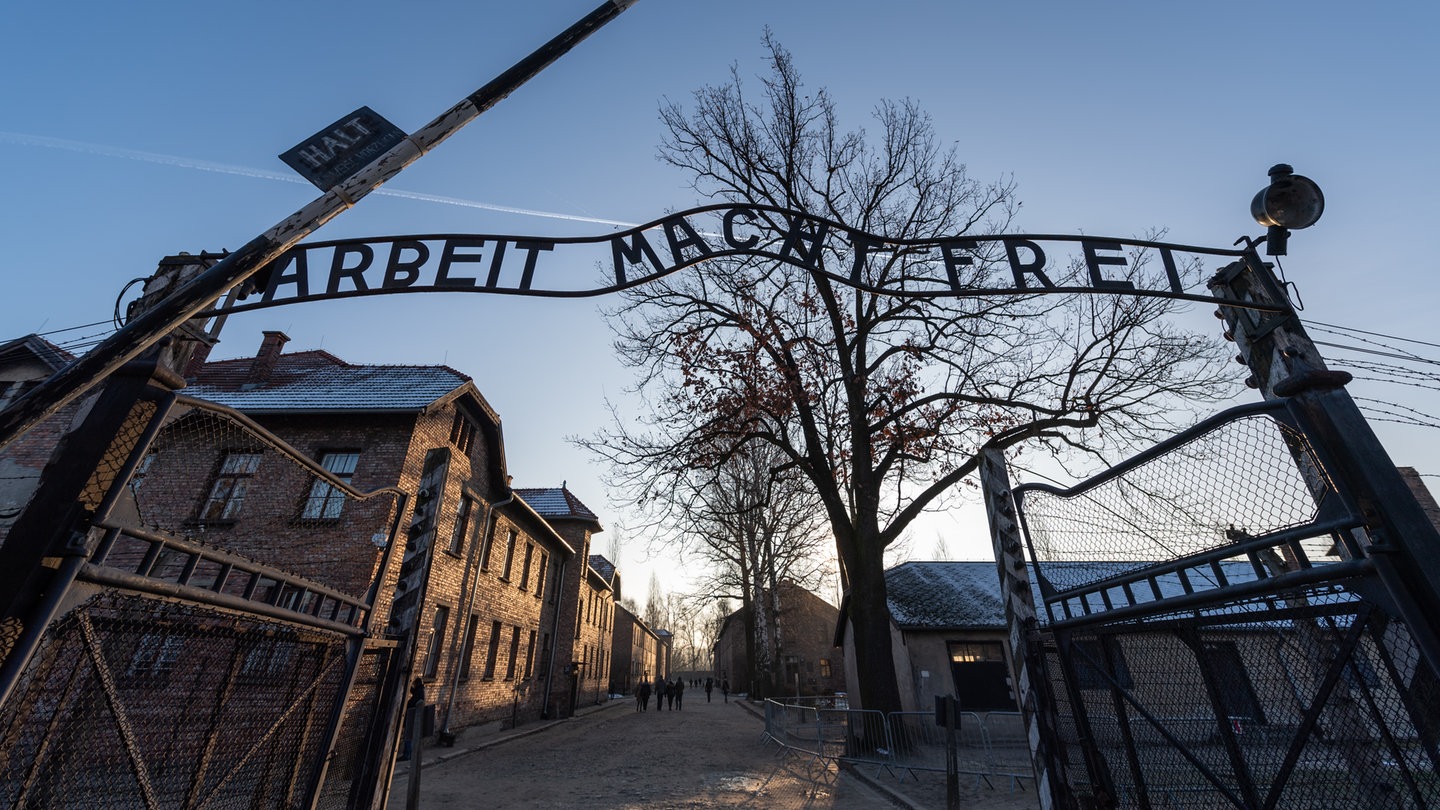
(809, 659)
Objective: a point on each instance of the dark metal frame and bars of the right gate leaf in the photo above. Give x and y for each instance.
(1094, 750)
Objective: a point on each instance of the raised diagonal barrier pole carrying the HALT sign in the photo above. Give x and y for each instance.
(204, 290)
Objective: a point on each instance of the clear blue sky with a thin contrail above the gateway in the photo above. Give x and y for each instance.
(136, 130)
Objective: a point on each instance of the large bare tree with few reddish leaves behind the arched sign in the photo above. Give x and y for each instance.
(882, 403)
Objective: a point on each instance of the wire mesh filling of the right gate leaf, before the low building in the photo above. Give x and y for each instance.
(1216, 636)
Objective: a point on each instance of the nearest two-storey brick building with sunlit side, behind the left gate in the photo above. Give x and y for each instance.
(495, 582)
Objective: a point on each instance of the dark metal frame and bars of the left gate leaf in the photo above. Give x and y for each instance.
(57, 566)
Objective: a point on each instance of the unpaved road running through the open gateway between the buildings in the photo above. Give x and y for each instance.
(617, 759)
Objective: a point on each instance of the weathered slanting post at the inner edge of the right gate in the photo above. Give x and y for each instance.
(1027, 668)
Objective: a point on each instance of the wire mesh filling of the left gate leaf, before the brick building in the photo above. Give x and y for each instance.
(212, 651)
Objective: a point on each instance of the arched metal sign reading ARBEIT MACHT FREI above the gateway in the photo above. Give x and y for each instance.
(940, 266)
